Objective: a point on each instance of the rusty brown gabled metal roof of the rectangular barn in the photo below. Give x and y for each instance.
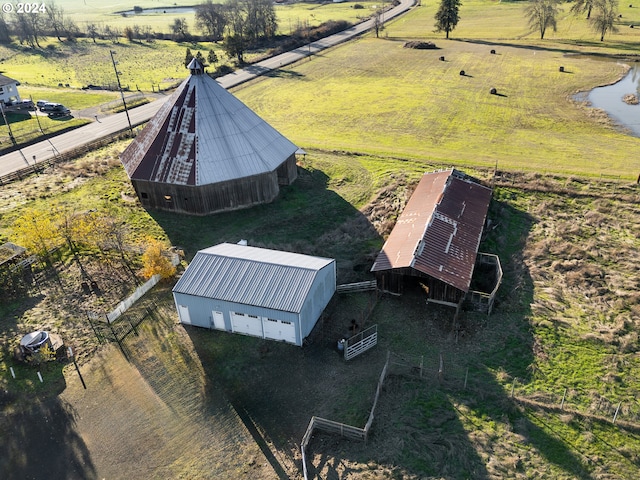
(439, 231)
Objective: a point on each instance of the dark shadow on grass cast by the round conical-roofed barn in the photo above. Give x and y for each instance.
(306, 217)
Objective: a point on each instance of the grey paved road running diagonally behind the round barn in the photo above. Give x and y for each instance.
(106, 125)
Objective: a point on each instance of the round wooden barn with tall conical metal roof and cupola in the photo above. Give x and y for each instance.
(205, 151)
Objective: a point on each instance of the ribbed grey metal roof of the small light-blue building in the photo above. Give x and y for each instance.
(252, 276)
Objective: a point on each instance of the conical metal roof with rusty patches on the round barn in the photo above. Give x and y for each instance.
(202, 135)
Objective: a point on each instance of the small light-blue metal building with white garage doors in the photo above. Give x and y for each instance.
(255, 291)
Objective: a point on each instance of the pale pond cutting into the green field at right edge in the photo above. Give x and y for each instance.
(609, 99)
